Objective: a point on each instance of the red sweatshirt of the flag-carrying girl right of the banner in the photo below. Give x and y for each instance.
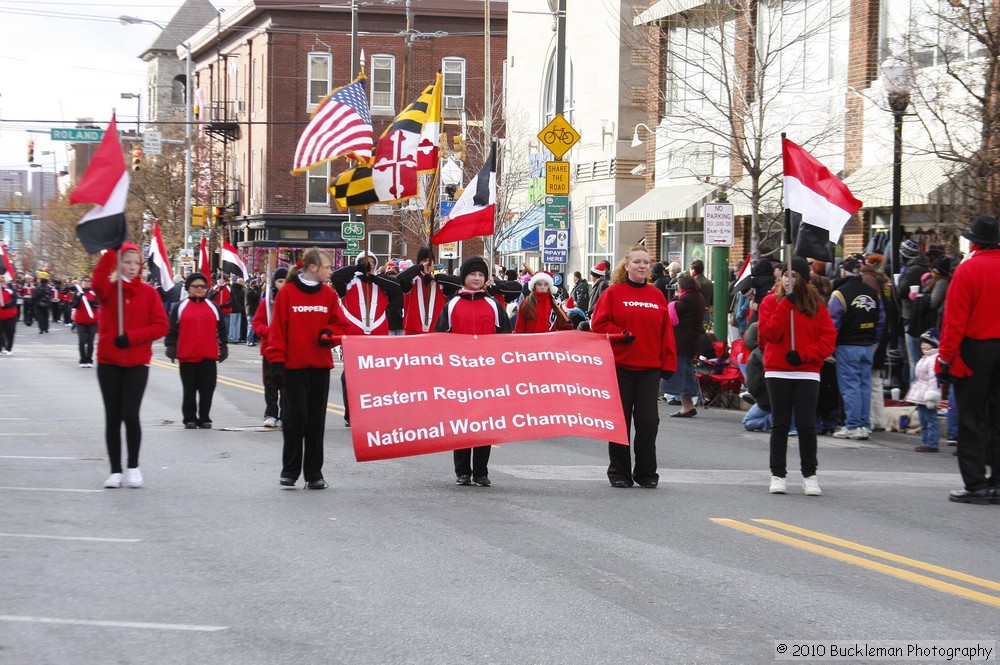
(815, 337)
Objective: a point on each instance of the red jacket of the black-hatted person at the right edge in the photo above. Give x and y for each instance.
(969, 309)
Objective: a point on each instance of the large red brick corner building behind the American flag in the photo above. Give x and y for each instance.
(259, 73)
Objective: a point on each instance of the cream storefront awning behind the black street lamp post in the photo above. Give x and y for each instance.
(924, 182)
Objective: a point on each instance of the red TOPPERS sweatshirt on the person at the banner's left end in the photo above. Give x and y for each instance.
(299, 313)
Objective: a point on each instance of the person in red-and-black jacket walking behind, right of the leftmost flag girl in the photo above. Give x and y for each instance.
(197, 339)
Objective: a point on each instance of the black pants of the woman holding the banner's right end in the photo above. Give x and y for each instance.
(638, 390)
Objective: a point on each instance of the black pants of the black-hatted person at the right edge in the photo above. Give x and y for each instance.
(978, 398)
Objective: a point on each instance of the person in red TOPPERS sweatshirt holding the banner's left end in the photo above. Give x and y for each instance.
(306, 322)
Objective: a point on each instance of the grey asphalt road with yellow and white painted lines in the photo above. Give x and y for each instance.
(211, 562)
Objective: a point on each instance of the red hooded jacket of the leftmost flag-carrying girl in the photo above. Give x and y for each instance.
(144, 317)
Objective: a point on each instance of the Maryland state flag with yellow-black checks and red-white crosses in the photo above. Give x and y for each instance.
(391, 177)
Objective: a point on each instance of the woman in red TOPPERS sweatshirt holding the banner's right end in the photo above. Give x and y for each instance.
(637, 310)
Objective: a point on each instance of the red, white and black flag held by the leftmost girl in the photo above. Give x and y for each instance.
(105, 182)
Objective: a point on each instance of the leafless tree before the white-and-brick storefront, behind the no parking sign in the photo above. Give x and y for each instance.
(731, 77)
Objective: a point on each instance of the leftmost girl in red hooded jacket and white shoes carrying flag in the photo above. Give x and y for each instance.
(123, 354)
